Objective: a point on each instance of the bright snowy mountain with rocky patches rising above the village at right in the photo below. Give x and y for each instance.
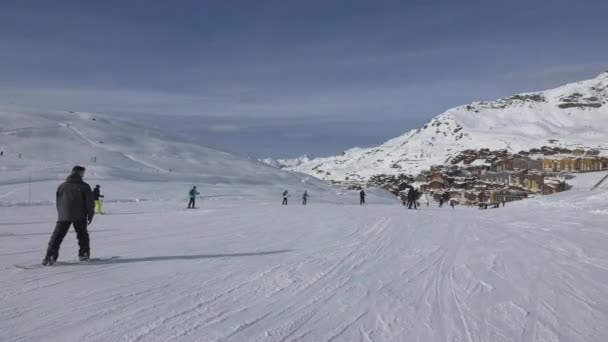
(574, 115)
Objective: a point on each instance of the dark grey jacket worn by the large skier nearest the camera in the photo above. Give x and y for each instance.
(75, 200)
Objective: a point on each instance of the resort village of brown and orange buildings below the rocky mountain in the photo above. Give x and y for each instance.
(493, 177)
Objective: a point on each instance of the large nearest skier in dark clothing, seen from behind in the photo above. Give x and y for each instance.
(75, 206)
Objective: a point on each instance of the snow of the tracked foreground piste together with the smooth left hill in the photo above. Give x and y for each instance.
(244, 268)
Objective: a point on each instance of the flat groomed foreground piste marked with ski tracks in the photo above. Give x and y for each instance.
(249, 272)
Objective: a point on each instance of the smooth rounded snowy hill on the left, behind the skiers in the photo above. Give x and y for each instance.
(43, 146)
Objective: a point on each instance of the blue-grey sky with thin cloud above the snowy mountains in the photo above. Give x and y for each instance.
(282, 78)
